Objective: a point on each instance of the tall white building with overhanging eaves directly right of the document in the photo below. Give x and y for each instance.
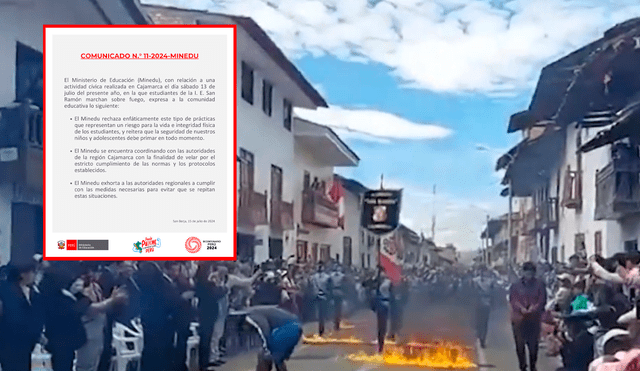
(269, 87)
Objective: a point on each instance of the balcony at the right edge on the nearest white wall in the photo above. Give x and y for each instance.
(618, 190)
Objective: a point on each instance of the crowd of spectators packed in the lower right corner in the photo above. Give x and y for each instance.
(589, 318)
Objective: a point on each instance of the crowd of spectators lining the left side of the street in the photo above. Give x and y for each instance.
(70, 309)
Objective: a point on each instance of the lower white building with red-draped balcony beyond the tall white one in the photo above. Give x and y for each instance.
(323, 231)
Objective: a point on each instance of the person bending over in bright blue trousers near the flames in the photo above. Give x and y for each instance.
(280, 332)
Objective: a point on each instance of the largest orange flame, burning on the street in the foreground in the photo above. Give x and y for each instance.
(435, 357)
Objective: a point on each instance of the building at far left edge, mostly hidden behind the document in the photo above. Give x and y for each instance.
(21, 136)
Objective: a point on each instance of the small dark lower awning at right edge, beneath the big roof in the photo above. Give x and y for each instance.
(626, 124)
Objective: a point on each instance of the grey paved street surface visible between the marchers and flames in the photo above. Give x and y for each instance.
(447, 321)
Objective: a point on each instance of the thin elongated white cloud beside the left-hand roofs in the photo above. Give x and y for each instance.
(372, 125)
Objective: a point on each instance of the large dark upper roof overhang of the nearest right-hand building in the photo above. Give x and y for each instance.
(579, 82)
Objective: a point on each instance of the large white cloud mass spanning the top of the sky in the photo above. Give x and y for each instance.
(441, 45)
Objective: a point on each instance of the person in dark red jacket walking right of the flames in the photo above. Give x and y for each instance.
(527, 298)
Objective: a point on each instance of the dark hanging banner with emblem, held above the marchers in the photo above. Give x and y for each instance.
(381, 211)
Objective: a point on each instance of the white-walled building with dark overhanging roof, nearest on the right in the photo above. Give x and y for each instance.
(580, 177)
